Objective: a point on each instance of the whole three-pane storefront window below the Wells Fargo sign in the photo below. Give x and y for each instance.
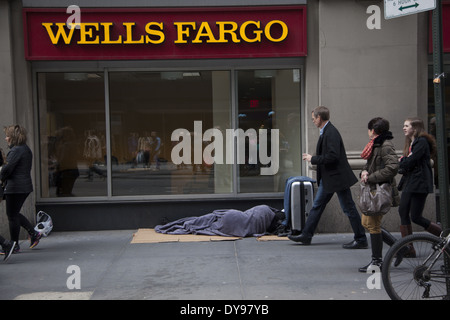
(168, 133)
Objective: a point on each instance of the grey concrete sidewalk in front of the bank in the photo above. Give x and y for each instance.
(110, 267)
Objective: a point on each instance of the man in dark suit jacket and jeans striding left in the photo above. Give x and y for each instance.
(334, 175)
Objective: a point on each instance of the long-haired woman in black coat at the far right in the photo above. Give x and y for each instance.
(417, 180)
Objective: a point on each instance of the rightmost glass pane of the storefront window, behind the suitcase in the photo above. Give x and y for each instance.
(269, 100)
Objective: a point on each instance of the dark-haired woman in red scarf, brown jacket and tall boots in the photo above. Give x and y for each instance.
(381, 167)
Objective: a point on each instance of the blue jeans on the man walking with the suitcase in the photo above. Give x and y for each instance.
(348, 206)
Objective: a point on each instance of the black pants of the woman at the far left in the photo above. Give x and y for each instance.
(14, 203)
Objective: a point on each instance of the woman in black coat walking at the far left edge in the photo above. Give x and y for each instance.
(16, 175)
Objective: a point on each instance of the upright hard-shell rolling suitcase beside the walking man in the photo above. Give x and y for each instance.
(301, 203)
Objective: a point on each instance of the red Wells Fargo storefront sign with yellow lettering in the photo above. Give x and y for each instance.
(183, 33)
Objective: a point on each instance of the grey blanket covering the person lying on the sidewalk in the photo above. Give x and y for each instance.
(228, 222)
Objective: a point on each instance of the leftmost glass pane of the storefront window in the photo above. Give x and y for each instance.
(72, 134)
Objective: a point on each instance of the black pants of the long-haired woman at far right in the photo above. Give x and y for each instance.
(411, 208)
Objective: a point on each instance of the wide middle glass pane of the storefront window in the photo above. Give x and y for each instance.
(152, 113)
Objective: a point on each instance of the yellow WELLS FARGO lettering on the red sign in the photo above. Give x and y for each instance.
(226, 31)
